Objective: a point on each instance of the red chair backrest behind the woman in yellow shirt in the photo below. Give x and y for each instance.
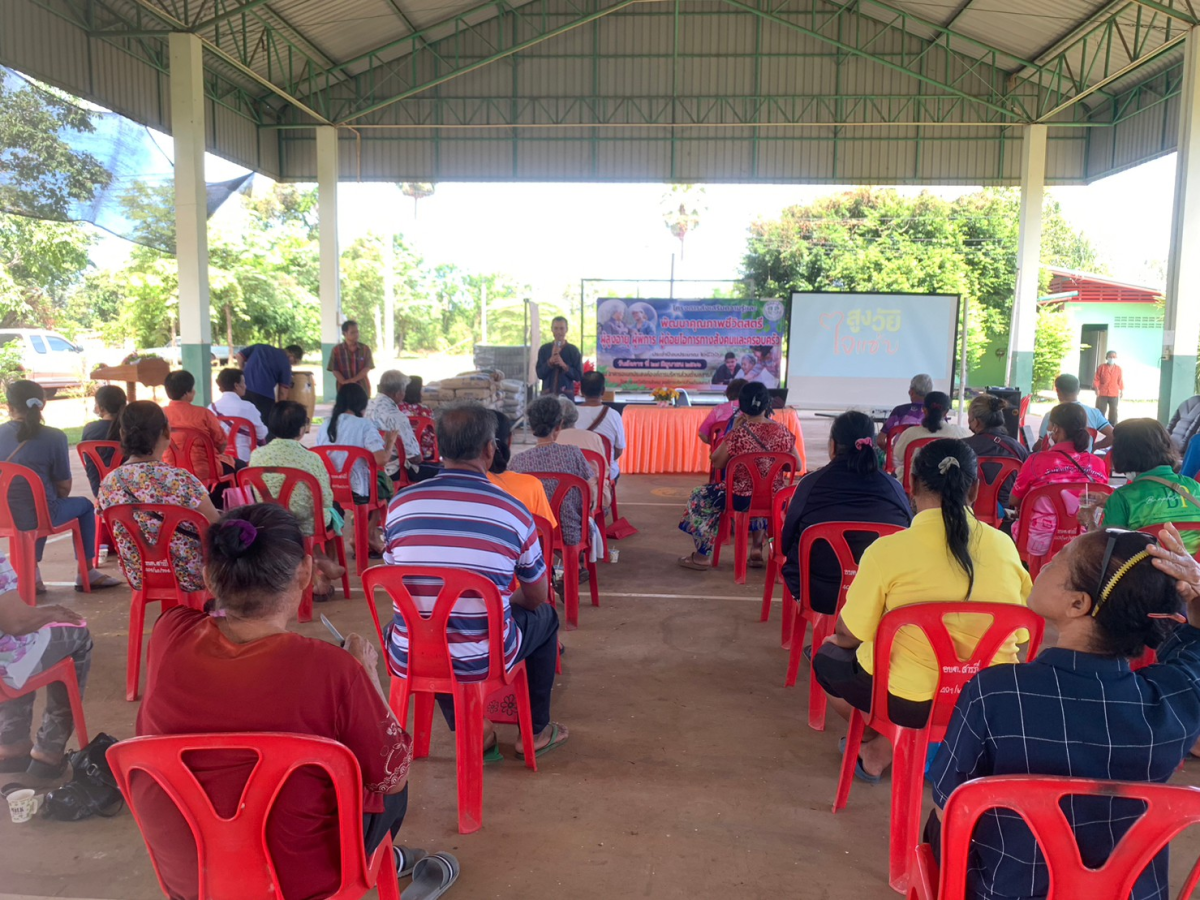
(953, 671)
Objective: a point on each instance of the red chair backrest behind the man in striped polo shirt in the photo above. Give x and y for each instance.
(429, 649)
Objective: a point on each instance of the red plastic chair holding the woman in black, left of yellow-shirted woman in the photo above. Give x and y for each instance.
(802, 614)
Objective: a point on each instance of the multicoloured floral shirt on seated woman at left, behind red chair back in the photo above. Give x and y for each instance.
(170, 487)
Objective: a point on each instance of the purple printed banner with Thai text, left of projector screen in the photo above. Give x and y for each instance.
(699, 345)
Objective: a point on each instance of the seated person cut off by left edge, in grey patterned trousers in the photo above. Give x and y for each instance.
(33, 639)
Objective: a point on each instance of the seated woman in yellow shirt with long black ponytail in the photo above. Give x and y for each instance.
(946, 556)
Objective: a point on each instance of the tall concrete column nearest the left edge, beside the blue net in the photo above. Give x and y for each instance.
(191, 211)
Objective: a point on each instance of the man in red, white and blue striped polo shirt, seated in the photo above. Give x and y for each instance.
(460, 520)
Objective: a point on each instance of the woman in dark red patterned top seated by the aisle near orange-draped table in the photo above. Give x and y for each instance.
(753, 434)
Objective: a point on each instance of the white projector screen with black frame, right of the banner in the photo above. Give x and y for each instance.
(861, 351)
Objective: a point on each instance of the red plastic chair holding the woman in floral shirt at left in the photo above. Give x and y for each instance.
(160, 583)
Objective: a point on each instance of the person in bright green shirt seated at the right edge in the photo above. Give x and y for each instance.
(1156, 495)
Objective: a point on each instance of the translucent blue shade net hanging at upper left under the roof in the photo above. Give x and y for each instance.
(140, 175)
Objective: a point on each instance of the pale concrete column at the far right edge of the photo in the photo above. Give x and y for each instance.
(1181, 325)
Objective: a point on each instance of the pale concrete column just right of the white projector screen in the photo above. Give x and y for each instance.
(1029, 260)
